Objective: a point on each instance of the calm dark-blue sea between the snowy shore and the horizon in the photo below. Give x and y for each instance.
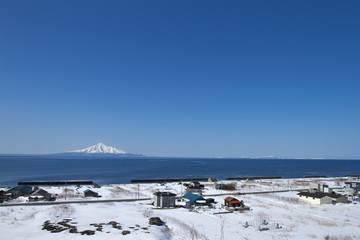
(108, 170)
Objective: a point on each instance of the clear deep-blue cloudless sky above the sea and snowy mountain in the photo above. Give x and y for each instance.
(181, 78)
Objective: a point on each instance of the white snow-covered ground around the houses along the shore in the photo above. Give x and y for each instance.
(279, 215)
